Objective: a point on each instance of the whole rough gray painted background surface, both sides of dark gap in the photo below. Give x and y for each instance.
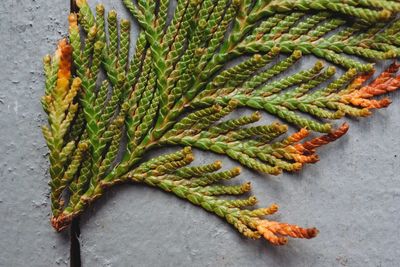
(352, 195)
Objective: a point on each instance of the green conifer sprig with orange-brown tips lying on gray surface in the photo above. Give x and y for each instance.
(177, 88)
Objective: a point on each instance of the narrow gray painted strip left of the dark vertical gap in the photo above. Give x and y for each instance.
(29, 30)
